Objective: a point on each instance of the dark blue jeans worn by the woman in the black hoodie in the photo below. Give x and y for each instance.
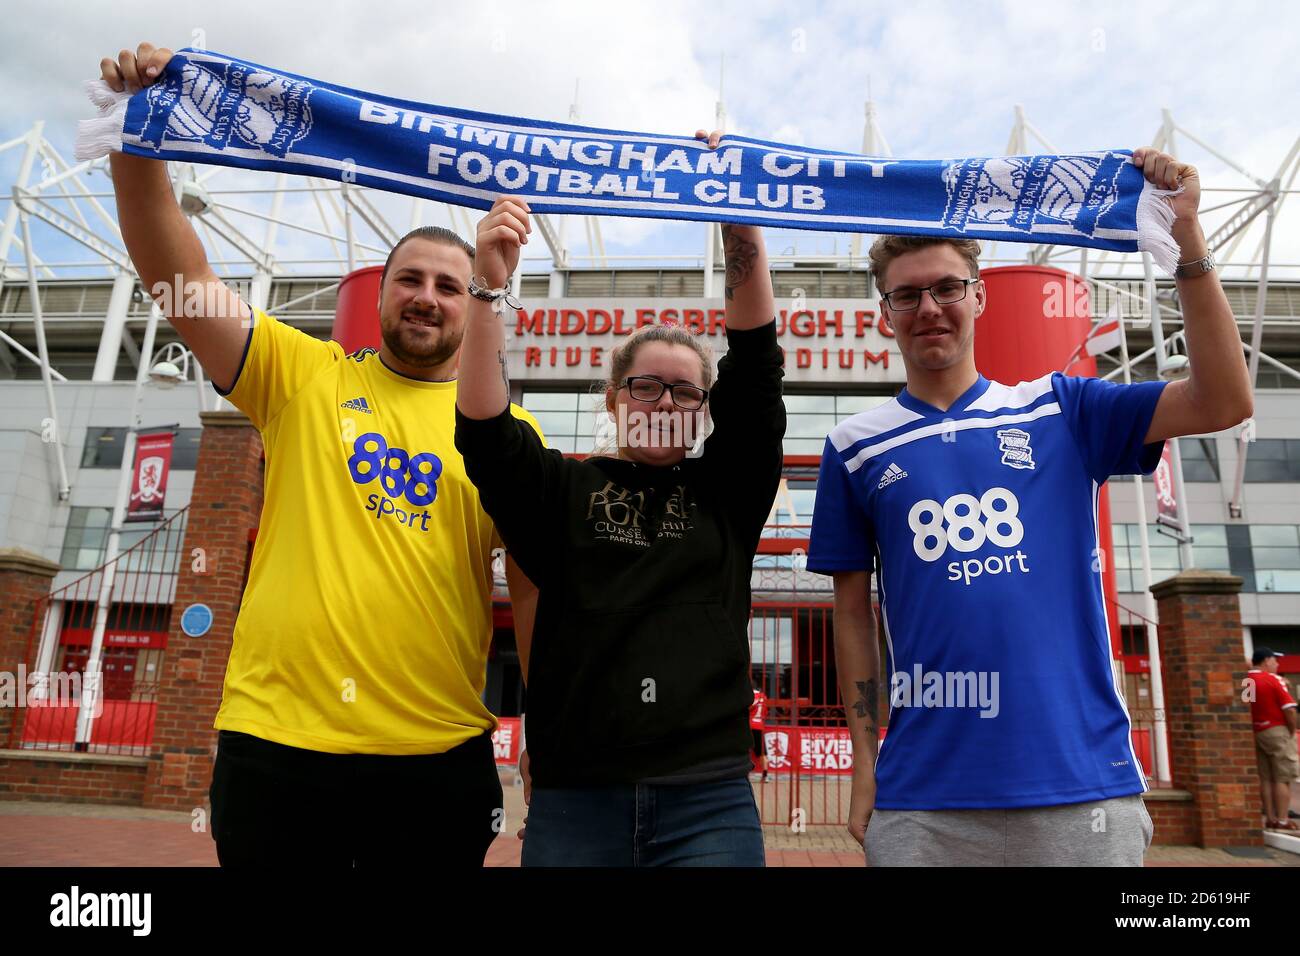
(645, 825)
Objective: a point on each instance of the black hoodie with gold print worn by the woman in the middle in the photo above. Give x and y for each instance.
(640, 655)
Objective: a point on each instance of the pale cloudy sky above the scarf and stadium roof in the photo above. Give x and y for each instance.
(946, 79)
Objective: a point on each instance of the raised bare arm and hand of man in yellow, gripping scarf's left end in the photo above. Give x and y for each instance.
(163, 245)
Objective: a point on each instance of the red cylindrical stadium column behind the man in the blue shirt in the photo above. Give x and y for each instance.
(1034, 322)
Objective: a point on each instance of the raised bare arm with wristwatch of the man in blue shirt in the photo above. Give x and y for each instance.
(1217, 392)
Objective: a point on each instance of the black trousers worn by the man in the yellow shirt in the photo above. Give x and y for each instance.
(276, 806)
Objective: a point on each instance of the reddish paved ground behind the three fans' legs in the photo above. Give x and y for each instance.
(40, 834)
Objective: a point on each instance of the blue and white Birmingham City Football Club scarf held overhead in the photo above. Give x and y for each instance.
(214, 109)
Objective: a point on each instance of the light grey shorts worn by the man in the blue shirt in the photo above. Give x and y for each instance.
(1107, 833)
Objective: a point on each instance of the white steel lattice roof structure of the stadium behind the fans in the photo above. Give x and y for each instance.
(289, 241)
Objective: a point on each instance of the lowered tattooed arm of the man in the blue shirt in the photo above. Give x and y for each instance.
(857, 660)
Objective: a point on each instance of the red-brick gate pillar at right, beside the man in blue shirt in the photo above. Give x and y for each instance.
(1211, 737)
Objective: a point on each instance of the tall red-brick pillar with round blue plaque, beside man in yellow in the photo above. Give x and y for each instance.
(226, 507)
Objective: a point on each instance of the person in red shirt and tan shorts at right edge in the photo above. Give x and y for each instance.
(1273, 711)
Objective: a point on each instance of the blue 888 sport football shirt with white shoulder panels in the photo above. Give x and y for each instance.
(982, 526)
